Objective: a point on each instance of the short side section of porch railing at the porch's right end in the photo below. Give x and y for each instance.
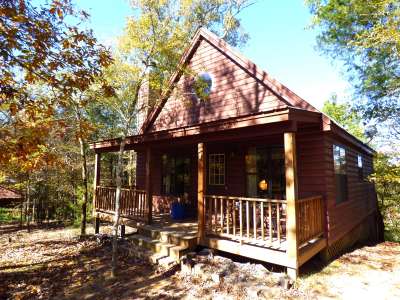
(309, 219)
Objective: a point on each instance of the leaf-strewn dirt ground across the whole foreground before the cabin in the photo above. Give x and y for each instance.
(53, 263)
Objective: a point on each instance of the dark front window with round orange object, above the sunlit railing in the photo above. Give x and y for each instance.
(265, 172)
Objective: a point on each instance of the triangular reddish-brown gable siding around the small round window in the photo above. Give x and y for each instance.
(235, 93)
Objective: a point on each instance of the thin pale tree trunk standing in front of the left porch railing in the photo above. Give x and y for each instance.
(117, 205)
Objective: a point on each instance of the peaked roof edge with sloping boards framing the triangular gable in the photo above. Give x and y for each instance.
(282, 92)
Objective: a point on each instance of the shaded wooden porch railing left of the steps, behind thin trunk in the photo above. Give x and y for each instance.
(133, 203)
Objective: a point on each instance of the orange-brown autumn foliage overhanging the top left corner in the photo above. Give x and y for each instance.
(41, 45)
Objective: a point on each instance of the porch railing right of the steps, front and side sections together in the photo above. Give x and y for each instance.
(262, 221)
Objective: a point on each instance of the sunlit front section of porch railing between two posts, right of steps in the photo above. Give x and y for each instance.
(249, 220)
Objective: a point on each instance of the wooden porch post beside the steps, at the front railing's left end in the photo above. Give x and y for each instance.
(201, 186)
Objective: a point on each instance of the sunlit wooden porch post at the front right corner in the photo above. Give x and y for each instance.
(291, 197)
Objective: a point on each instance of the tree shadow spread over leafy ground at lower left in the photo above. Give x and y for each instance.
(81, 271)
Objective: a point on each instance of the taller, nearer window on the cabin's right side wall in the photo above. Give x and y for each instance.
(339, 160)
